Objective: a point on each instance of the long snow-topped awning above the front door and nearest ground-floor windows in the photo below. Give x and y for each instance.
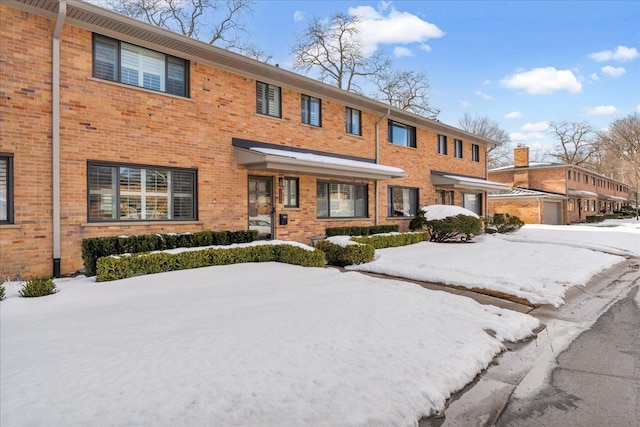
(264, 157)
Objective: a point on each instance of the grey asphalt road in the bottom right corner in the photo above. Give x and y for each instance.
(597, 380)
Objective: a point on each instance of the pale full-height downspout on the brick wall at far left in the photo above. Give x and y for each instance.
(55, 108)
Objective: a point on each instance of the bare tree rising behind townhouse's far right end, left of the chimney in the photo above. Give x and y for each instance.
(497, 155)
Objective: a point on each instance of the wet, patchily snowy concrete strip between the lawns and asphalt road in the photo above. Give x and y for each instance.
(524, 368)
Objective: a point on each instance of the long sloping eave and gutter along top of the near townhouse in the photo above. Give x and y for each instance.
(106, 22)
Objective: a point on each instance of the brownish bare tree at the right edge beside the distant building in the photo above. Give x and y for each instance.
(622, 139)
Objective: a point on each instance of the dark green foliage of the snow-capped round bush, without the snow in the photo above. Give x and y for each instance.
(453, 228)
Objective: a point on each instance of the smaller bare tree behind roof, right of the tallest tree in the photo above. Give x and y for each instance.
(406, 90)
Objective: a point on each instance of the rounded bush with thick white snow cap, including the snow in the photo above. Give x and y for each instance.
(447, 223)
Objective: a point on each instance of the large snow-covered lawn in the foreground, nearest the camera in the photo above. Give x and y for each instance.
(248, 344)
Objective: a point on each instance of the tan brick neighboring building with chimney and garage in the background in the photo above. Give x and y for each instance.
(553, 193)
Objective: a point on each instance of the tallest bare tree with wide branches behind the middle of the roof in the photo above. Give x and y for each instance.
(333, 47)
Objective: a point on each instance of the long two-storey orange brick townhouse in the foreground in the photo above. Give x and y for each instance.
(110, 126)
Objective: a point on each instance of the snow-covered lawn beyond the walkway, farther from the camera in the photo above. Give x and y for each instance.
(538, 263)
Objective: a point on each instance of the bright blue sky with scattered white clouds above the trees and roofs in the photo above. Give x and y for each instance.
(521, 63)
